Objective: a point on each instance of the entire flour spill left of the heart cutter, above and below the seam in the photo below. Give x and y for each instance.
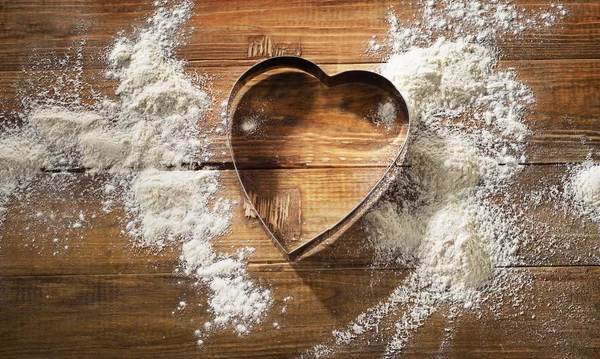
(144, 140)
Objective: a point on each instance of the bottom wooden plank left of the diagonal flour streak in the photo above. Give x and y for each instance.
(131, 316)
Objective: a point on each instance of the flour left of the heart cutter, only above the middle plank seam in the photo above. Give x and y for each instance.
(155, 122)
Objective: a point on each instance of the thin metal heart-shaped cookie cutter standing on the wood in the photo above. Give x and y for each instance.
(352, 76)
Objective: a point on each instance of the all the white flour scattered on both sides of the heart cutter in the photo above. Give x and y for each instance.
(440, 217)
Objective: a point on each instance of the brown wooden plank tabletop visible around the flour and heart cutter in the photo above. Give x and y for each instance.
(103, 299)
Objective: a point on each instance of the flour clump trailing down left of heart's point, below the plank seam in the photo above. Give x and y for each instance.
(175, 205)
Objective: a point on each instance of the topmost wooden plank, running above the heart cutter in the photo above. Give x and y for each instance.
(325, 32)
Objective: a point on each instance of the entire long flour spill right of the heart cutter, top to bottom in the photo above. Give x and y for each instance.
(443, 215)
